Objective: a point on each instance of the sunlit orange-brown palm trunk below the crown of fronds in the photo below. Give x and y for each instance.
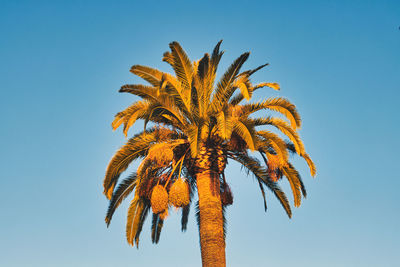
(212, 240)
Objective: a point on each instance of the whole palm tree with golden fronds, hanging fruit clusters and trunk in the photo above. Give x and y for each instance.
(192, 126)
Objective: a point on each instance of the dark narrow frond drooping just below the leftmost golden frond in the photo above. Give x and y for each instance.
(123, 190)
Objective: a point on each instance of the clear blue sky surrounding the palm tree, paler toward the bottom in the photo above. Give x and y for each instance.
(62, 63)
